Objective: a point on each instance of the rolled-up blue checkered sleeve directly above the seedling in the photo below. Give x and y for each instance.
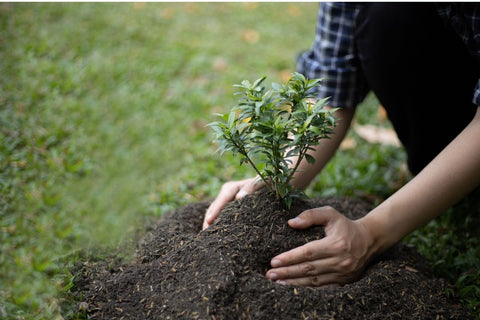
(332, 56)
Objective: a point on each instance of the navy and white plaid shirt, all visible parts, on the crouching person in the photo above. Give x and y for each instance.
(333, 57)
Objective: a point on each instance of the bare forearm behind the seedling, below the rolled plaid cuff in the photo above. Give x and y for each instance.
(323, 152)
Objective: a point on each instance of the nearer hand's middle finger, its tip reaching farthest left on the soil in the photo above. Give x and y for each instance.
(306, 269)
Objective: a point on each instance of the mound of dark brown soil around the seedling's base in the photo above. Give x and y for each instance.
(182, 272)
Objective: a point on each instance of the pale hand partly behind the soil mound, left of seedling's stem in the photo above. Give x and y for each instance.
(230, 191)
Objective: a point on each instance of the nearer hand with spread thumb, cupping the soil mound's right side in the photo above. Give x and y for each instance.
(338, 258)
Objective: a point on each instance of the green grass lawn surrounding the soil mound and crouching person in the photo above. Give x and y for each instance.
(103, 110)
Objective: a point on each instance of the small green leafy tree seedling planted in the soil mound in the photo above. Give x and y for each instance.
(273, 130)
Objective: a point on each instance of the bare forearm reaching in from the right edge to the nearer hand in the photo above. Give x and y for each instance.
(447, 179)
